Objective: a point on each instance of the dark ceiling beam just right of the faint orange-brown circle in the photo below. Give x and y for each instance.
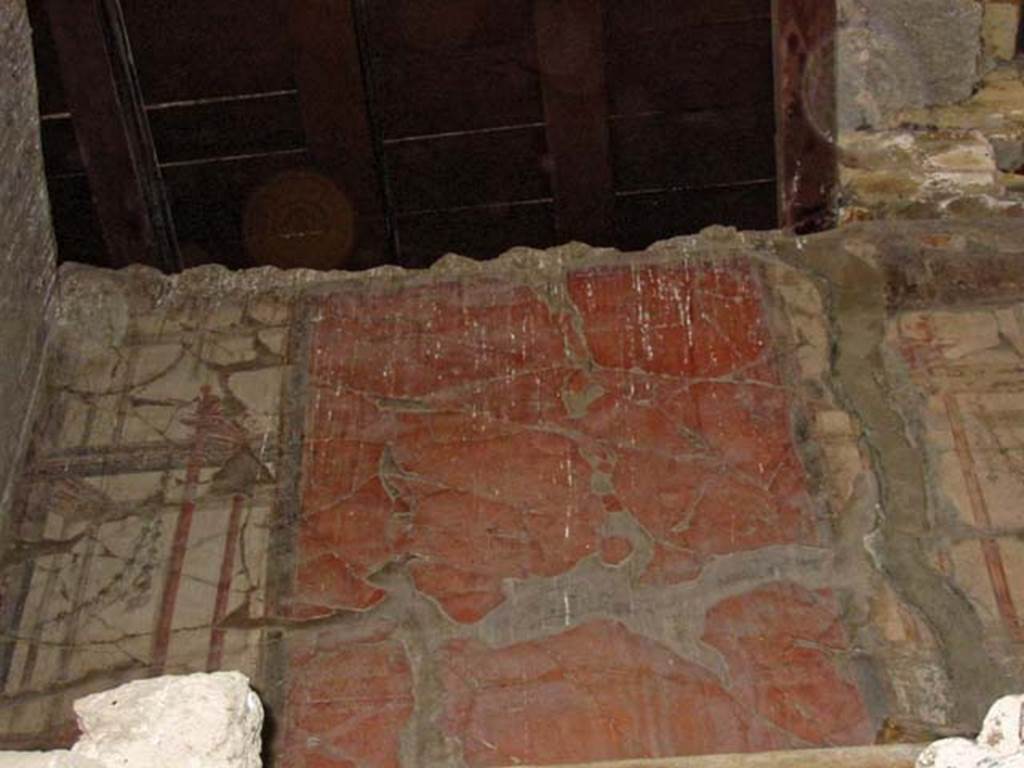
(333, 96)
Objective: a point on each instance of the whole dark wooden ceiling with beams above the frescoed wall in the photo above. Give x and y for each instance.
(353, 134)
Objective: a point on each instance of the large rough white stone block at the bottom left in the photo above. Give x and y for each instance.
(193, 721)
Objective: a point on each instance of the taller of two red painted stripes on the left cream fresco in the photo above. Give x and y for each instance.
(162, 637)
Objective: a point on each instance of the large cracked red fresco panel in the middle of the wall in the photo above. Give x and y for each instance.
(485, 434)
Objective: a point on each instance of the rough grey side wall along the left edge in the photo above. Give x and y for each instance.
(27, 250)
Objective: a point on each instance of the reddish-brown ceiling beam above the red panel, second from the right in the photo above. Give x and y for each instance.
(571, 57)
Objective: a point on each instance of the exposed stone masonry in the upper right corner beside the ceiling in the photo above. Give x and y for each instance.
(931, 103)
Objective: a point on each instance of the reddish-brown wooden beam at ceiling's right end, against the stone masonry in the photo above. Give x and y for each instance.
(805, 100)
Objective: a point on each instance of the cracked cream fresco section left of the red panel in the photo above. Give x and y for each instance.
(151, 491)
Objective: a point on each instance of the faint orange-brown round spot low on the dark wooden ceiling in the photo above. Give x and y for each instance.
(301, 220)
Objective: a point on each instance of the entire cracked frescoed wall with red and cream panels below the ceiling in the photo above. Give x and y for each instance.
(733, 494)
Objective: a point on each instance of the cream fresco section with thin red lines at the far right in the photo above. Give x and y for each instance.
(968, 365)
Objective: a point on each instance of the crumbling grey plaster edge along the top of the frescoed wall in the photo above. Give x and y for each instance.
(215, 283)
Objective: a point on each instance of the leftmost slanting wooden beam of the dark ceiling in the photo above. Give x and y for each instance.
(113, 134)
